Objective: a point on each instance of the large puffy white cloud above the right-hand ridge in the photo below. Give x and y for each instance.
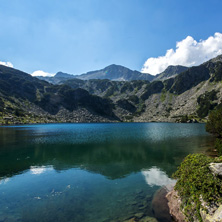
(189, 52)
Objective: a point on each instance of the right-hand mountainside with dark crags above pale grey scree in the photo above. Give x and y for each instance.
(189, 96)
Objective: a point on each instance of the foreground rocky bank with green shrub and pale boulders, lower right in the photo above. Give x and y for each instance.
(203, 210)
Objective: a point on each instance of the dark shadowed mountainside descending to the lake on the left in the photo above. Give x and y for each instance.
(25, 99)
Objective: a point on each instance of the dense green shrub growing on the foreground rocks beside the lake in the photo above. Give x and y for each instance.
(194, 181)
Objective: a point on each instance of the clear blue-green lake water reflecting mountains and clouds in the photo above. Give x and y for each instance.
(90, 172)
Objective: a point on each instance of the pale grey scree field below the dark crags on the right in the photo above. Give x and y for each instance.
(170, 108)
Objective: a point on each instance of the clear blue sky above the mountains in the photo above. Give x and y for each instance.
(76, 36)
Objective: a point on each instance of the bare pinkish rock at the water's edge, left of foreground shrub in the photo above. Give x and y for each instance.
(174, 205)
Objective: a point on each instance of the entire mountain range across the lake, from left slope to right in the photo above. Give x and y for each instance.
(177, 94)
